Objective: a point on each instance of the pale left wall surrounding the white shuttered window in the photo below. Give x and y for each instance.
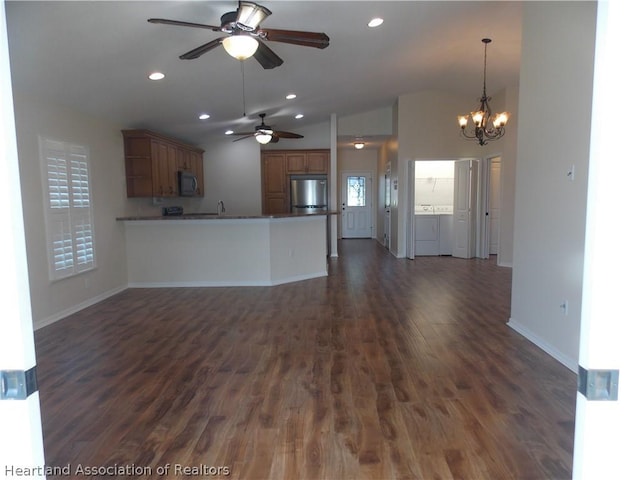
(53, 300)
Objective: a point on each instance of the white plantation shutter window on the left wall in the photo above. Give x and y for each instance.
(68, 208)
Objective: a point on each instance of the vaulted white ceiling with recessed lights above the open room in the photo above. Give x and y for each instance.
(95, 57)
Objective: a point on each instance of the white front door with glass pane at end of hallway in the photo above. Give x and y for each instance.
(356, 205)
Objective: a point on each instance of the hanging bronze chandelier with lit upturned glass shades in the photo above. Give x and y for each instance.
(483, 127)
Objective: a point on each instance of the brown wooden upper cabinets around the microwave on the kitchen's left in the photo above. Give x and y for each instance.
(152, 163)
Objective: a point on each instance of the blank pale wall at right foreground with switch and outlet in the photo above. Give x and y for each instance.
(553, 134)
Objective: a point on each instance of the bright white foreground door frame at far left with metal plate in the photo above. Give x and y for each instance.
(20, 417)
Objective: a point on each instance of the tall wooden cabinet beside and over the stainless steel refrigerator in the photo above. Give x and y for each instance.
(277, 167)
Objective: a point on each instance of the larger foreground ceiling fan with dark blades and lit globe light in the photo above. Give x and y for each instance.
(246, 37)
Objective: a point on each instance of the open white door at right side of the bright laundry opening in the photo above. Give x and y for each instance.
(464, 202)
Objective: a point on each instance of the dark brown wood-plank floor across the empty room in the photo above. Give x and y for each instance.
(386, 369)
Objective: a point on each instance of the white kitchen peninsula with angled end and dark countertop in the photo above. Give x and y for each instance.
(225, 250)
